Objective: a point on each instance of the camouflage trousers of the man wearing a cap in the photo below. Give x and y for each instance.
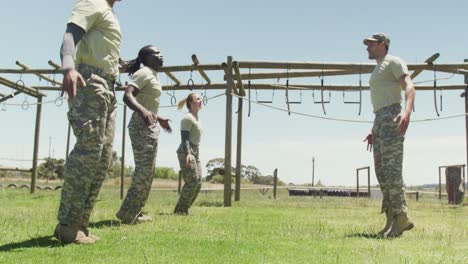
(388, 158)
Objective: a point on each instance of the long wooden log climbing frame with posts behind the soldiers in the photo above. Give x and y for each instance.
(236, 73)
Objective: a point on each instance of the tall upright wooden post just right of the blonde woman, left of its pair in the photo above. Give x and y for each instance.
(228, 140)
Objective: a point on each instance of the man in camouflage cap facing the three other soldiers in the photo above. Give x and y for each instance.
(387, 80)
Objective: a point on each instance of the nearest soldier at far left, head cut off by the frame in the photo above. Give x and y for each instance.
(89, 83)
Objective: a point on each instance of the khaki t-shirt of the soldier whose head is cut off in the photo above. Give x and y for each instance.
(100, 46)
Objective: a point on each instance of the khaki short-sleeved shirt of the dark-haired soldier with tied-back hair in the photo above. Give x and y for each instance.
(149, 88)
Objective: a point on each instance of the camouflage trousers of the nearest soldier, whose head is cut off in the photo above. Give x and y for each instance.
(92, 116)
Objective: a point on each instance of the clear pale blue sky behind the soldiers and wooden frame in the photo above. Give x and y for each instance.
(328, 31)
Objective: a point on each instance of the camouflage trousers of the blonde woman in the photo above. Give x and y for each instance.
(192, 177)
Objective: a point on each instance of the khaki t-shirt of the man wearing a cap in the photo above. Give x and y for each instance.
(385, 82)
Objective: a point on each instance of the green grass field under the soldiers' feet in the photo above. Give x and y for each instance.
(256, 230)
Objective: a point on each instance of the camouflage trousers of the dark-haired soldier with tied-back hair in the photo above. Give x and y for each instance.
(145, 144)
